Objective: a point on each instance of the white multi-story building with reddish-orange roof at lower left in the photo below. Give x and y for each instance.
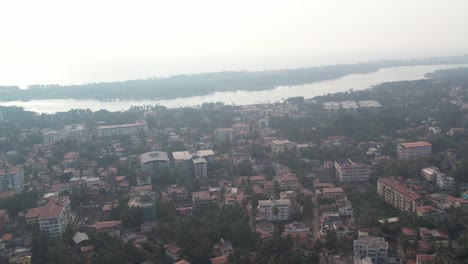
(52, 218)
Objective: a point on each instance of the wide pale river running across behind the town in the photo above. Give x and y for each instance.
(352, 81)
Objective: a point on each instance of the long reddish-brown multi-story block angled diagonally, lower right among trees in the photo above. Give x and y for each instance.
(397, 194)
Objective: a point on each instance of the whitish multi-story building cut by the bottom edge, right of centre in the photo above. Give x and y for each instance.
(375, 248)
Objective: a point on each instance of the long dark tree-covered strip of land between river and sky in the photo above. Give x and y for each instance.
(206, 83)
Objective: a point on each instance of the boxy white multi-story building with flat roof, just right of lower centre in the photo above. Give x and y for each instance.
(274, 210)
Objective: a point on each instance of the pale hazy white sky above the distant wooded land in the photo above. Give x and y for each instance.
(102, 40)
